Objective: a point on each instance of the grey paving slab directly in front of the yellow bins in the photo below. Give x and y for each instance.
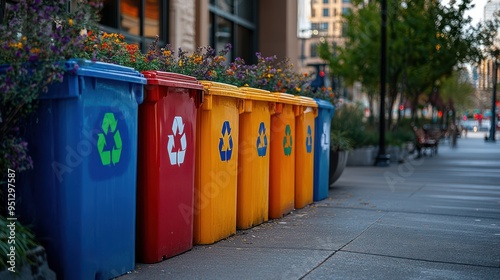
(309, 228)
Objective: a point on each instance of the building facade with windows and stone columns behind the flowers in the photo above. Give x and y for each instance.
(250, 26)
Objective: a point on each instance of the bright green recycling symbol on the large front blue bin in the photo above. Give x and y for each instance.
(109, 124)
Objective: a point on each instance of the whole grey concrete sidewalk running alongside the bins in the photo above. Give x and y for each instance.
(433, 218)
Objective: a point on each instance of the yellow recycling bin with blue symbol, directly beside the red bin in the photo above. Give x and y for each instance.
(216, 163)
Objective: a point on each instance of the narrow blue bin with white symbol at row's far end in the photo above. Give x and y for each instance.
(322, 124)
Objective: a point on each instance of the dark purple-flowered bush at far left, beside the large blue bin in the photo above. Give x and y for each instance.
(36, 37)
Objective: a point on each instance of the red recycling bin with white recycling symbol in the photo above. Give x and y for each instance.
(166, 154)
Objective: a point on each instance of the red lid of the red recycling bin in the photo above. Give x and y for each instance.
(169, 79)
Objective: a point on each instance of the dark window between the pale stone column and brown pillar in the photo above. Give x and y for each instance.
(234, 22)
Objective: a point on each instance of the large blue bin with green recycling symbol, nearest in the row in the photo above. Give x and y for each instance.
(80, 197)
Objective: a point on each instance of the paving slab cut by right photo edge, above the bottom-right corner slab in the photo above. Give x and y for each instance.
(439, 238)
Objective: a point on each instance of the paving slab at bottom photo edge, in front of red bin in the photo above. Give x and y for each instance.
(209, 262)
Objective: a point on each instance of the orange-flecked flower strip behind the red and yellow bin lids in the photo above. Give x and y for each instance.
(205, 64)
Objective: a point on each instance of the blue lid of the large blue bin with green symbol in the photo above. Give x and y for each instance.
(83, 67)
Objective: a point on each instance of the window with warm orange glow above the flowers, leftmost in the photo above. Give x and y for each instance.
(139, 20)
